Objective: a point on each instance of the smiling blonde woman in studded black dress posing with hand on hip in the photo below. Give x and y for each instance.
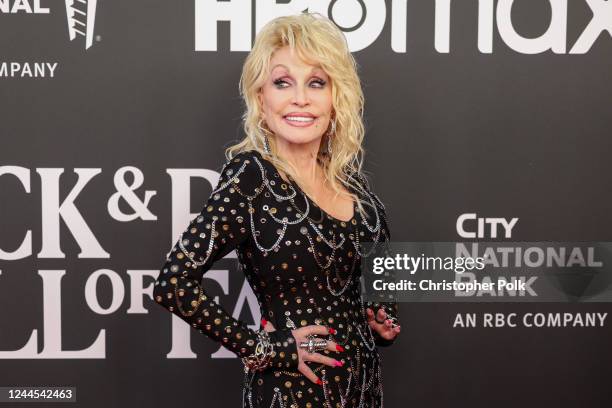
(294, 205)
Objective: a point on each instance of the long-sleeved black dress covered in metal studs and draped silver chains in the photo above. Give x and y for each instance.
(303, 266)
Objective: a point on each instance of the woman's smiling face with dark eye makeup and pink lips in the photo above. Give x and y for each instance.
(296, 100)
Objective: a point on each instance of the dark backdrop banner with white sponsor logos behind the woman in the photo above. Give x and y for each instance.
(486, 121)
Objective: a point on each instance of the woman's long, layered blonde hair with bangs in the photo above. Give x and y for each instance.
(314, 38)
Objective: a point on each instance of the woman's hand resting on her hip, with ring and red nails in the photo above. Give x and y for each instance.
(301, 335)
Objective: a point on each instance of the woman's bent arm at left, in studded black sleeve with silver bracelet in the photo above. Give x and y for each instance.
(222, 225)
